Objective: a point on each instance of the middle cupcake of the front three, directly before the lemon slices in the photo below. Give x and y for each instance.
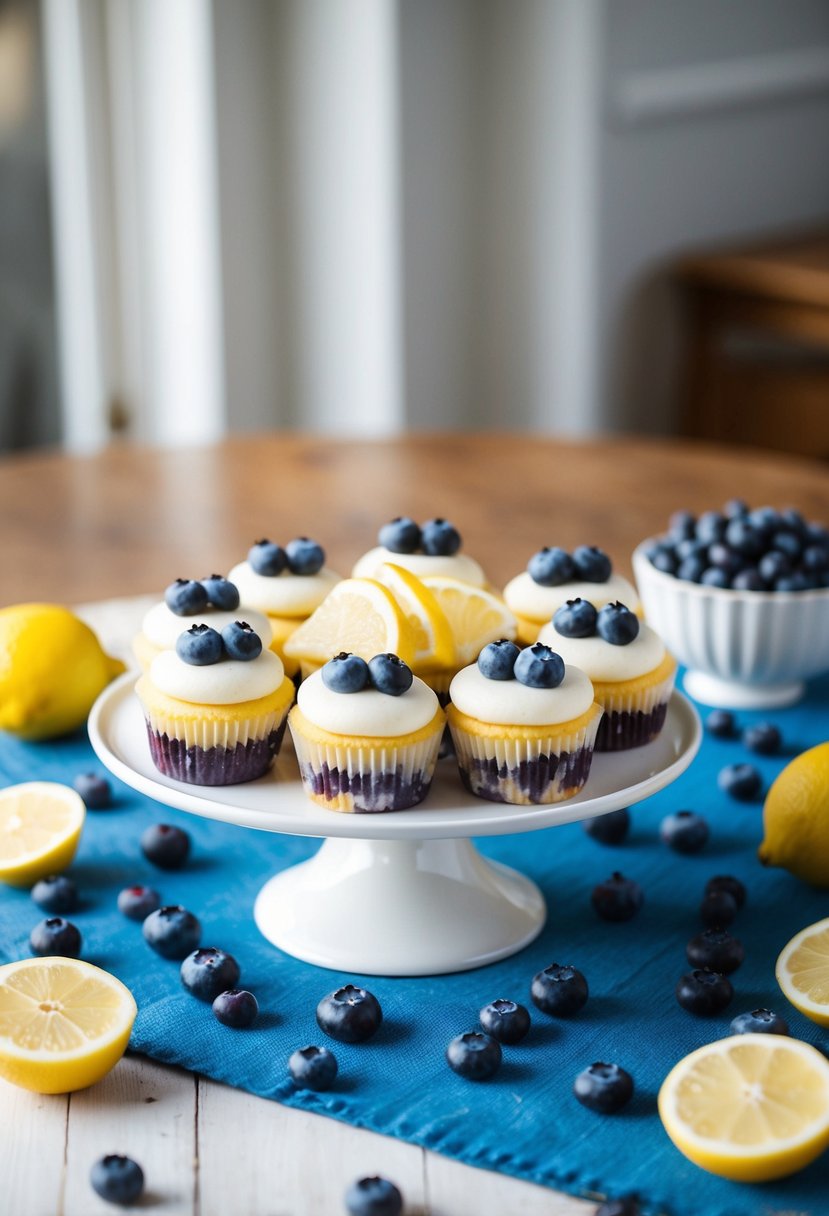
(366, 735)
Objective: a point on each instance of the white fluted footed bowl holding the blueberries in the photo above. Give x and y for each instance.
(743, 650)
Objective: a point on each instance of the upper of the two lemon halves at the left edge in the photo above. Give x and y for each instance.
(41, 826)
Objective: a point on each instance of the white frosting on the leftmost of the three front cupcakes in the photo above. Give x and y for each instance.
(227, 683)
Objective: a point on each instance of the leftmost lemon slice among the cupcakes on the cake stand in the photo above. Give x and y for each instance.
(360, 616)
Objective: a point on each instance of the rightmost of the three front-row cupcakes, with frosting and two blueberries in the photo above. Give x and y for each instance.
(523, 725)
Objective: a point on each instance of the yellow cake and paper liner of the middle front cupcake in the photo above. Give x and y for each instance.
(387, 776)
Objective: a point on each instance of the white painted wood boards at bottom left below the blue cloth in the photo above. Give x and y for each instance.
(211, 1151)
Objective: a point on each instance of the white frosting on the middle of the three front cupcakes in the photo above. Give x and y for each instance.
(369, 712)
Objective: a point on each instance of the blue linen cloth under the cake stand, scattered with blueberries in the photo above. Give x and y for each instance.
(526, 1122)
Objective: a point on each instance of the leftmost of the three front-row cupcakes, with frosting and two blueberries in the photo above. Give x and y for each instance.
(216, 707)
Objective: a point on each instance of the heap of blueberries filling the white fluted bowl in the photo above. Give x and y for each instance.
(760, 550)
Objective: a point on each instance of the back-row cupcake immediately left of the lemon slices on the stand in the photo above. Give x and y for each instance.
(286, 584)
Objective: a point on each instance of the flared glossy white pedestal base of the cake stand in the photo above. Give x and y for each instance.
(399, 908)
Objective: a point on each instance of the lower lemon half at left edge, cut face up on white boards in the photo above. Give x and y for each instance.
(64, 1024)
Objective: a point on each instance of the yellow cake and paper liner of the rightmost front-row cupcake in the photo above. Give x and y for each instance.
(526, 772)
